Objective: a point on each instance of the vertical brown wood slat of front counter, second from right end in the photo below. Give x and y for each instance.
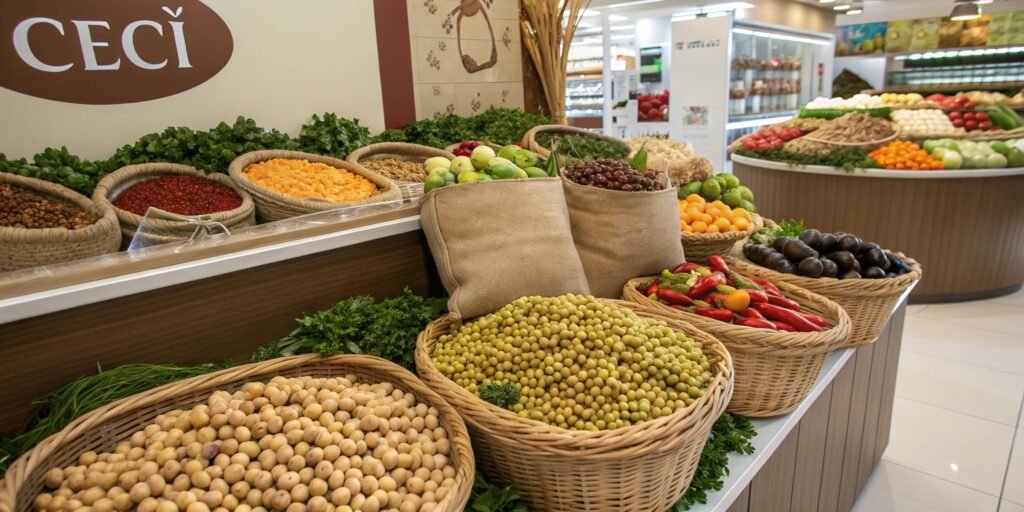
(856, 428)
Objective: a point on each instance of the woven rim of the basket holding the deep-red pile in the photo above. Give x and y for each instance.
(134, 175)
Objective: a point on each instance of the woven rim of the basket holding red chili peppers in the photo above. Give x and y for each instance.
(753, 339)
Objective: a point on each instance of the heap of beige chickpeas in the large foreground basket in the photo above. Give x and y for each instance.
(292, 445)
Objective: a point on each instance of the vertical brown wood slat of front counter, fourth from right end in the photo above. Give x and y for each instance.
(810, 454)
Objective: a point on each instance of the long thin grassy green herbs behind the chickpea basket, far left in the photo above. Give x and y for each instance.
(56, 411)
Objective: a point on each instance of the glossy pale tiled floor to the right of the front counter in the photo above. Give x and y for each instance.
(958, 436)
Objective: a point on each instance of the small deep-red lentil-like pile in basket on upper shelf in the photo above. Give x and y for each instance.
(181, 194)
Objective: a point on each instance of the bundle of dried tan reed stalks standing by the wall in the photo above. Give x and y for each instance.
(548, 27)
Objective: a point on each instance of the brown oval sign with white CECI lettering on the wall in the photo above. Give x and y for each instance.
(110, 52)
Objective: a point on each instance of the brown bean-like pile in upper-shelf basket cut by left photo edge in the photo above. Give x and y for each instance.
(26, 209)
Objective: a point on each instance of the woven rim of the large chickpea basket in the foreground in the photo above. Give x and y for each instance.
(20, 472)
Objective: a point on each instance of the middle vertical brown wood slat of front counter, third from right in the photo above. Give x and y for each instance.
(839, 414)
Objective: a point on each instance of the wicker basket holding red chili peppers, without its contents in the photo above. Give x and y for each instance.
(775, 370)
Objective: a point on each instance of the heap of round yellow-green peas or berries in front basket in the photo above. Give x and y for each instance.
(580, 364)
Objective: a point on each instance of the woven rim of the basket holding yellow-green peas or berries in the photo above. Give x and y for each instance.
(583, 444)
